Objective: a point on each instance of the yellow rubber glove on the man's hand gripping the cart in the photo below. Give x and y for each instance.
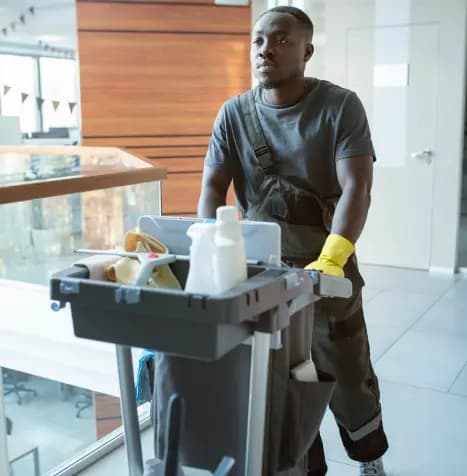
(335, 253)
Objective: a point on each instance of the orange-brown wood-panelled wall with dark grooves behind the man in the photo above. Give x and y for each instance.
(153, 77)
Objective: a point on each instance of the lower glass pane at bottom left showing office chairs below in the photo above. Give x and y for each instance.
(46, 421)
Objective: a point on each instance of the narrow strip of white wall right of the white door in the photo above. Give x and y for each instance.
(448, 170)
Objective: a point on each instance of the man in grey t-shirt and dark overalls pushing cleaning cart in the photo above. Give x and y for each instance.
(315, 184)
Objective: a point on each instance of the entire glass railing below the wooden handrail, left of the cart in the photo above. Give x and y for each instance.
(60, 393)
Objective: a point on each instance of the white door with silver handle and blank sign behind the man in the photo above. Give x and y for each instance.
(394, 71)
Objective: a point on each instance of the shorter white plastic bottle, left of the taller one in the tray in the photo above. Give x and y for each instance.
(200, 275)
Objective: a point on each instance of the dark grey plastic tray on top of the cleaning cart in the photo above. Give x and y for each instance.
(175, 322)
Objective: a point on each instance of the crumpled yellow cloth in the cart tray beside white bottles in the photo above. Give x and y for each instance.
(126, 270)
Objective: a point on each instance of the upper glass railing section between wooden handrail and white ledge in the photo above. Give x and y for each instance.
(38, 237)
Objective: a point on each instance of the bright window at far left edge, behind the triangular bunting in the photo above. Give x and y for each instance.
(20, 73)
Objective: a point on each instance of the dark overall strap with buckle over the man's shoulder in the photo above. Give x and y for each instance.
(262, 153)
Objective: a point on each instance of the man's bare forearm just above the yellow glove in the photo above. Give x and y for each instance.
(351, 212)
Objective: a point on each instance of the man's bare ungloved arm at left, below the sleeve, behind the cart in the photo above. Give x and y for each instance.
(216, 181)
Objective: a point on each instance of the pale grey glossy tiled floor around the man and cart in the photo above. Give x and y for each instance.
(417, 325)
